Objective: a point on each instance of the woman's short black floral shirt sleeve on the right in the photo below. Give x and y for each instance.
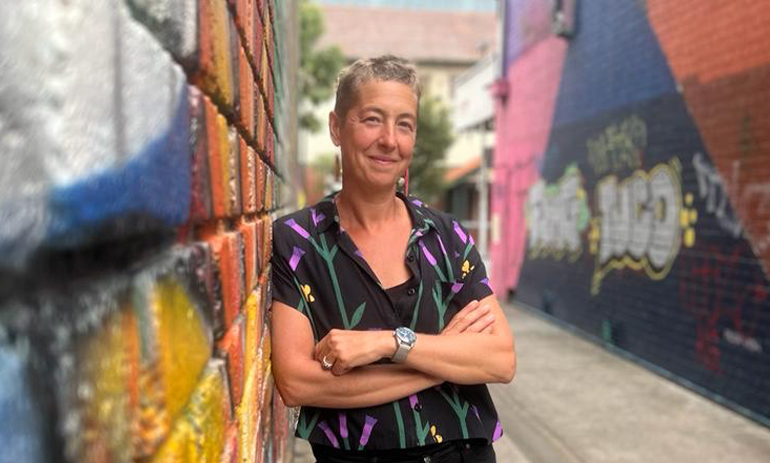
(471, 271)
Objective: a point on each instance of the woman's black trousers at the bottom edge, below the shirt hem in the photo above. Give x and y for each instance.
(449, 452)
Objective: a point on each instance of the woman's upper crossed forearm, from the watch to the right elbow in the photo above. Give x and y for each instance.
(465, 358)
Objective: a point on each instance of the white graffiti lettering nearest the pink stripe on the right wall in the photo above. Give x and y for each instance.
(557, 215)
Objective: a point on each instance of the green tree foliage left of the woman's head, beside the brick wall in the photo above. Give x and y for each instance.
(318, 67)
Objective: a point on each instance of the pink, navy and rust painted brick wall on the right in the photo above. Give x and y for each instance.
(632, 183)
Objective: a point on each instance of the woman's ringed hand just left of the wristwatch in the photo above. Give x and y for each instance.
(347, 349)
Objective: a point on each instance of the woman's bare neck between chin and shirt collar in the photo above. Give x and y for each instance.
(368, 211)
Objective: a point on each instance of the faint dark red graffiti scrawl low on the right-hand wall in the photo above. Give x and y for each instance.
(732, 308)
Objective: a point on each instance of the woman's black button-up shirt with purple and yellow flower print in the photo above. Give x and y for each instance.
(318, 270)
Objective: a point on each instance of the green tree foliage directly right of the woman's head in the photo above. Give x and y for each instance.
(434, 136)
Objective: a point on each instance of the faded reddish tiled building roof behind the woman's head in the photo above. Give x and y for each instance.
(423, 36)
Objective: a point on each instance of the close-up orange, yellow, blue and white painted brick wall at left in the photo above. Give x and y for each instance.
(144, 144)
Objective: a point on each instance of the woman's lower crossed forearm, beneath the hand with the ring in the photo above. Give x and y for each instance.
(361, 387)
